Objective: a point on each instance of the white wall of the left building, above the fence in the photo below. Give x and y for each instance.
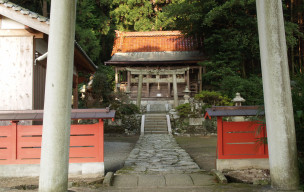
(16, 73)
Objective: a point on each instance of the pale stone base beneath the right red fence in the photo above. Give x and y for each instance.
(238, 164)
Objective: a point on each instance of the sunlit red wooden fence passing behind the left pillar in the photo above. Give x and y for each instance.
(20, 144)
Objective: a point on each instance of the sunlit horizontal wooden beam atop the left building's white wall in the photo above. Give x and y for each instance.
(19, 33)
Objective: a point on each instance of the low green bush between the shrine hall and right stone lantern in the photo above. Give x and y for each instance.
(211, 98)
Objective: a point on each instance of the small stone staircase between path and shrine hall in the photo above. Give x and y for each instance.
(156, 124)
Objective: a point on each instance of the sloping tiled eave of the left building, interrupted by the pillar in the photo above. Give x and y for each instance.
(35, 21)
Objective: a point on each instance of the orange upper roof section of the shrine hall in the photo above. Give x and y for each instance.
(154, 41)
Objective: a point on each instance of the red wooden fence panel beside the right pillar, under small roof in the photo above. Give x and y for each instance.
(238, 140)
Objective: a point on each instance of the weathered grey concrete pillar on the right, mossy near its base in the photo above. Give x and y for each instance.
(277, 96)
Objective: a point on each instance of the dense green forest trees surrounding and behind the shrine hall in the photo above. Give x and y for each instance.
(230, 41)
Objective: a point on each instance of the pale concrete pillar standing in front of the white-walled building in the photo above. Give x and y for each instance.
(57, 106)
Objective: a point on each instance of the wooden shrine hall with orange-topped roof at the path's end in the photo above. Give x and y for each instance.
(157, 66)
